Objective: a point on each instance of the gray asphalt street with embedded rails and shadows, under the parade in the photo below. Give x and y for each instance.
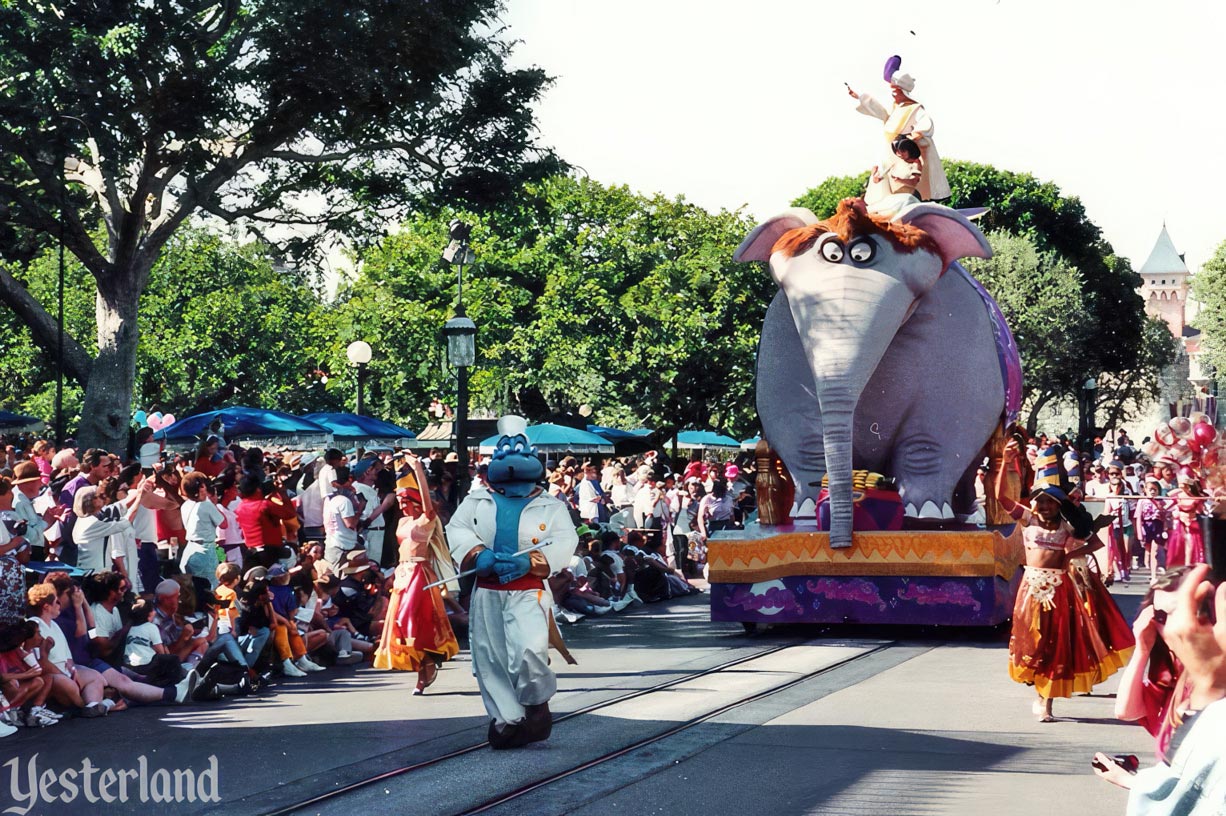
(870, 722)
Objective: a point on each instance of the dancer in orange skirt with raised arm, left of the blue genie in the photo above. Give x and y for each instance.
(417, 635)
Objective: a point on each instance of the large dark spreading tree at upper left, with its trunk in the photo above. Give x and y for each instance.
(312, 113)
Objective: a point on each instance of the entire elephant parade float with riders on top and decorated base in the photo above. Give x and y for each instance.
(887, 376)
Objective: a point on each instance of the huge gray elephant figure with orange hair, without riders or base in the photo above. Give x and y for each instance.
(881, 353)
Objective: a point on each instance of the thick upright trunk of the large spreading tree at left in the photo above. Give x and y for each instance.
(107, 412)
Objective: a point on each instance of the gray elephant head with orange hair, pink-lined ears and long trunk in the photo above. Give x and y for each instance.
(851, 282)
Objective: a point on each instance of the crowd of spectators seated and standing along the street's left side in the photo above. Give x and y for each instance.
(214, 573)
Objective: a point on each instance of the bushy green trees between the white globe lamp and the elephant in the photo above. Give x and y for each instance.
(582, 295)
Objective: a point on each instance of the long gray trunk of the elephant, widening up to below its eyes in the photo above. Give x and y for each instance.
(851, 319)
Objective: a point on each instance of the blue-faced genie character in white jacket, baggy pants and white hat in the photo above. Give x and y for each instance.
(509, 618)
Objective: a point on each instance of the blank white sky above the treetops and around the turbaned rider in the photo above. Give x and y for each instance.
(731, 102)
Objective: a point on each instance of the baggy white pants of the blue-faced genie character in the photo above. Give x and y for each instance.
(509, 639)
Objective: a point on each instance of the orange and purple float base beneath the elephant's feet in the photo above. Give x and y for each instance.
(790, 574)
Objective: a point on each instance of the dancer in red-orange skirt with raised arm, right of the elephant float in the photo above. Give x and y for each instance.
(1055, 645)
